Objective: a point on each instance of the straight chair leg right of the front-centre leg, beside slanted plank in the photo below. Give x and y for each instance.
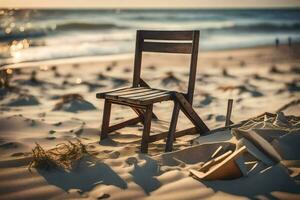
(172, 129)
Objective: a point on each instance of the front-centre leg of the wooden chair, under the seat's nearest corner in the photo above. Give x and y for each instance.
(146, 131)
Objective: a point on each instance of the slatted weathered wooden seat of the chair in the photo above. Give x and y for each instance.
(136, 95)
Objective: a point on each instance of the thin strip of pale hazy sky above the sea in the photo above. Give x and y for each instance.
(119, 4)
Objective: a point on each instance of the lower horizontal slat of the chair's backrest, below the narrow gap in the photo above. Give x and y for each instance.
(184, 48)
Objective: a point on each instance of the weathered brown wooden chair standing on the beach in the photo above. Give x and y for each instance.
(141, 97)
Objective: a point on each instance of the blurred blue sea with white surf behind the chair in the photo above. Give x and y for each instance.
(29, 35)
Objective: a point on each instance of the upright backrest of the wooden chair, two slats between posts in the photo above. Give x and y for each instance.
(165, 42)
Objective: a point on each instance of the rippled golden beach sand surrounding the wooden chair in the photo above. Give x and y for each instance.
(52, 102)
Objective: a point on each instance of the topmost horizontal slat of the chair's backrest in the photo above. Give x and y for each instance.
(167, 35)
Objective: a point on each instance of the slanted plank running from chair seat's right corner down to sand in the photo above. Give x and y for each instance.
(191, 114)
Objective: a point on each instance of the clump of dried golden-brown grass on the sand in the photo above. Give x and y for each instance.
(64, 156)
